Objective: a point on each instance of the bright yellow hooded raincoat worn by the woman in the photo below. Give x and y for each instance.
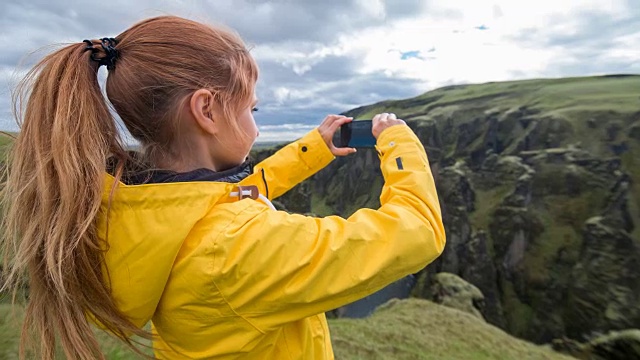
(223, 278)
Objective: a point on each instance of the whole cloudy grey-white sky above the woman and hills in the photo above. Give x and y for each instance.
(319, 57)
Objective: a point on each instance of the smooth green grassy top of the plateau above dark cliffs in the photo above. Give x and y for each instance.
(575, 100)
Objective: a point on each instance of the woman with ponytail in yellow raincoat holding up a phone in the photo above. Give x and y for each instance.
(182, 234)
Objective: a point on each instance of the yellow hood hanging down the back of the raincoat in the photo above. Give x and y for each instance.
(146, 227)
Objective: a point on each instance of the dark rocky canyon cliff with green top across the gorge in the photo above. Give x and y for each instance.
(536, 183)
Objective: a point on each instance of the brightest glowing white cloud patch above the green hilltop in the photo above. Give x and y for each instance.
(465, 54)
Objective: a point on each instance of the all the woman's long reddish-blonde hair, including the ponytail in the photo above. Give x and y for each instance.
(56, 167)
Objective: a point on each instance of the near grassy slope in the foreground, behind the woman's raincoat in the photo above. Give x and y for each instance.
(409, 329)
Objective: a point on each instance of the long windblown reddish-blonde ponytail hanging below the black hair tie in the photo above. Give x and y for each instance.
(53, 191)
